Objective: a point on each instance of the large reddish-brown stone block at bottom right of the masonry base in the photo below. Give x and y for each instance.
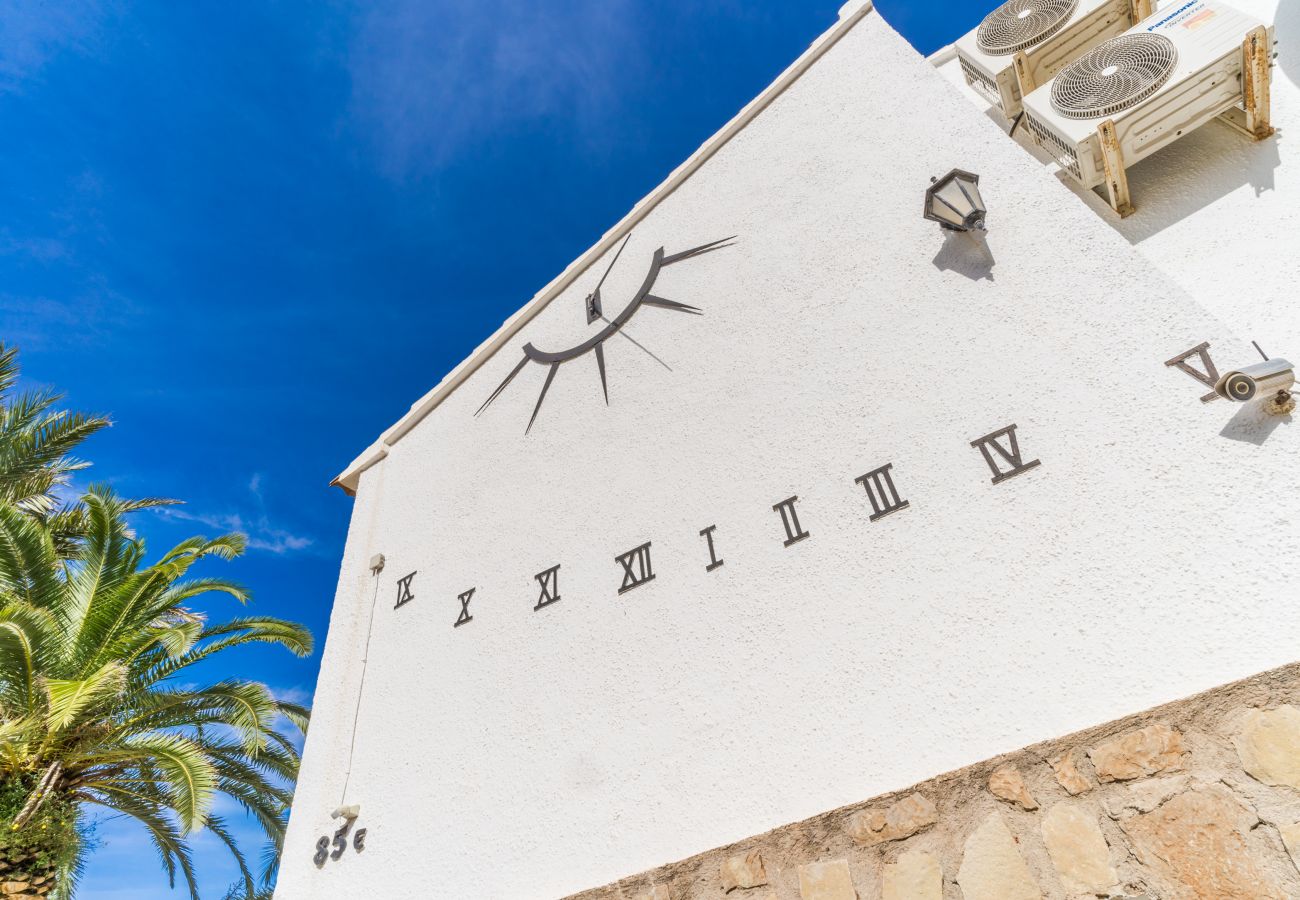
(1197, 841)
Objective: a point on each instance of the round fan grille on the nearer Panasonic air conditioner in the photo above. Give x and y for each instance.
(1115, 76)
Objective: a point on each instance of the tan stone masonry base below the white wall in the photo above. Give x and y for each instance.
(1195, 801)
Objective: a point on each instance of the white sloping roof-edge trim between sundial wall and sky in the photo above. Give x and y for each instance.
(851, 15)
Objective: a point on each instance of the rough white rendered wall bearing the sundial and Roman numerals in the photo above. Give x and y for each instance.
(535, 754)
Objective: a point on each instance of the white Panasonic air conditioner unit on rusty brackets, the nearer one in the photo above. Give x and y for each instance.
(1134, 94)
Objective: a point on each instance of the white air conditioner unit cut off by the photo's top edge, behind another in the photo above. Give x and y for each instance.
(1024, 44)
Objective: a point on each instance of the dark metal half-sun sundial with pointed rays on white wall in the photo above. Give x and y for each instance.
(595, 310)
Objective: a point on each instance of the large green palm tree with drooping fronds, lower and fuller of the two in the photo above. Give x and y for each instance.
(98, 703)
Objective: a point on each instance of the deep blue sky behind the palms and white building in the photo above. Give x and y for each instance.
(257, 232)
